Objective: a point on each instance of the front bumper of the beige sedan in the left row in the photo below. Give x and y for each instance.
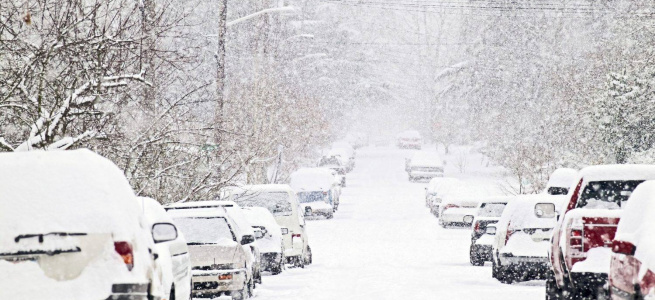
(206, 282)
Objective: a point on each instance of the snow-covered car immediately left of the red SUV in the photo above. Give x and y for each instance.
(520, 247)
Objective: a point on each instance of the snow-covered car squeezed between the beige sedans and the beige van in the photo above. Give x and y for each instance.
(271, 245)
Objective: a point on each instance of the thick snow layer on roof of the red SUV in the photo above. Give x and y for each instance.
(618, 172)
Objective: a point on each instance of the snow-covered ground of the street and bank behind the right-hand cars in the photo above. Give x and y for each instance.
(384, 244)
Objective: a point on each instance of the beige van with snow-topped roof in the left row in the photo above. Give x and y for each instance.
(282, 202)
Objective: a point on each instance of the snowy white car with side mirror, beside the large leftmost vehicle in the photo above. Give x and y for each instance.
(173, 263)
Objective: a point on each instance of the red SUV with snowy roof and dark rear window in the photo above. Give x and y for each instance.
(580, 249)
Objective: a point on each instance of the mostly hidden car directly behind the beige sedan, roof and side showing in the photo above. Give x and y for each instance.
(242, 226)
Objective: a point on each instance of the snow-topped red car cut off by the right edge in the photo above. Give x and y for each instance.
(632, 268)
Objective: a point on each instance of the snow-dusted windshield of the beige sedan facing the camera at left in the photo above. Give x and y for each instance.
(205, 230)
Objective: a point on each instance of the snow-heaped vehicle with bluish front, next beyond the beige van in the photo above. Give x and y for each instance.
(316, 190)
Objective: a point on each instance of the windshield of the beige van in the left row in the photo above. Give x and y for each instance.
(276, 202)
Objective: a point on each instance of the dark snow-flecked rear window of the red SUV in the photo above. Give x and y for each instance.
(606, 194)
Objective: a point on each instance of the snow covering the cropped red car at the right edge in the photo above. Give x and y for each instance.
(637, 224)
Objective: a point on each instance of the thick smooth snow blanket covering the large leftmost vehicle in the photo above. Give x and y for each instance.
(64, 191)
